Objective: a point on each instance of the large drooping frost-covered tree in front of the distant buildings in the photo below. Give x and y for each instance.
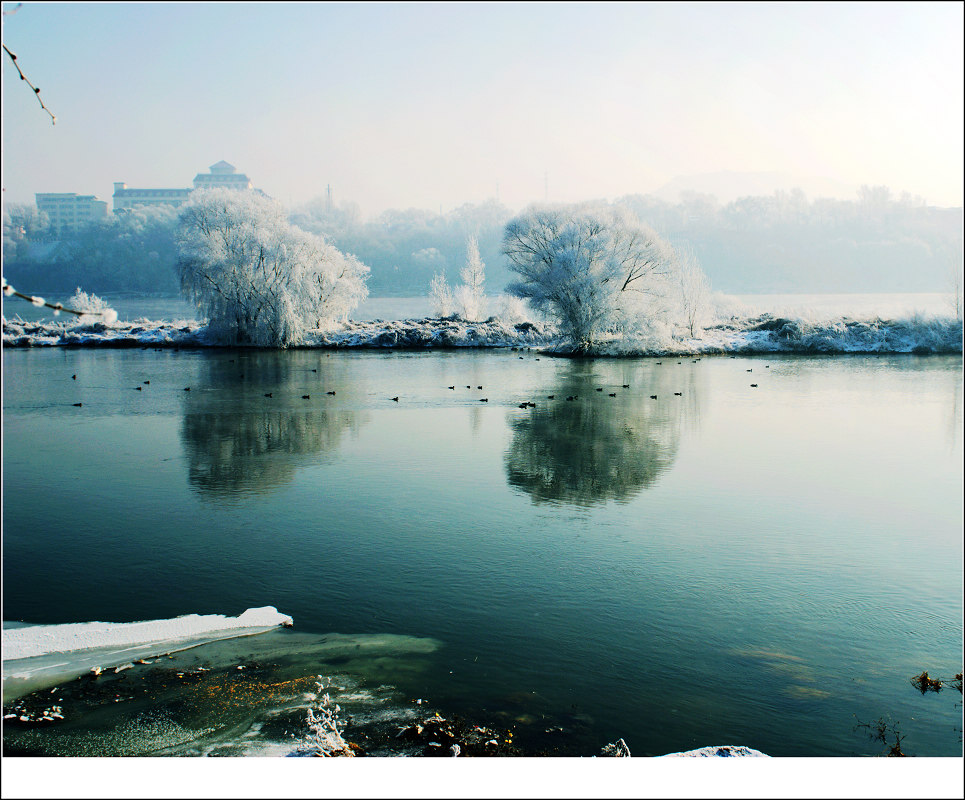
(260, 280)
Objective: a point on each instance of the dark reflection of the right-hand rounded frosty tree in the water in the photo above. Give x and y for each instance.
(597, 447)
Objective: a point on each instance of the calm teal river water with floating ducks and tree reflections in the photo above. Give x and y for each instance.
(761, 566)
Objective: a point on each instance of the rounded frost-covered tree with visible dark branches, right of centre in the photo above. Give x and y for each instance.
(598, 270)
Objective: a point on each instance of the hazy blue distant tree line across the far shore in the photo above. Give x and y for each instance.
(776, 243)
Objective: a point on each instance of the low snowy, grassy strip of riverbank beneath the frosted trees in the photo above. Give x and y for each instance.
(764, 334)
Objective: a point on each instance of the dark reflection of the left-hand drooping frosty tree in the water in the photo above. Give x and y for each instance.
(255, 417)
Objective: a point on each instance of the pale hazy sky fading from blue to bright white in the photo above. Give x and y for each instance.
(434, 105)
